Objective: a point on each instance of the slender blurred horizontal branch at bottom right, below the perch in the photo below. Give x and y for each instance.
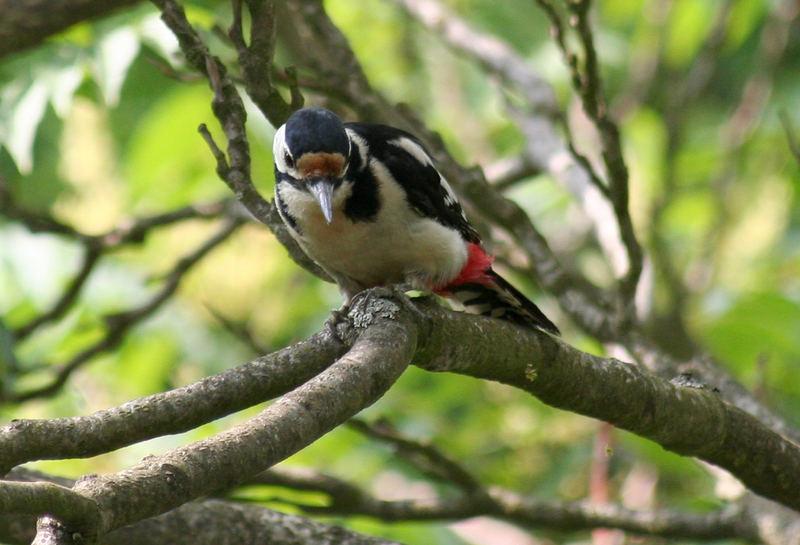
(346, 498)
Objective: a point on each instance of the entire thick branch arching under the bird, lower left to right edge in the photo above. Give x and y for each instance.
(687, 420)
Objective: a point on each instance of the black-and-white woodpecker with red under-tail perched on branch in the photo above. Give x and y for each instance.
(366, 202)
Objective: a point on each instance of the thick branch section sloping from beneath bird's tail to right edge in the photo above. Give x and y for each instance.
(689, 421)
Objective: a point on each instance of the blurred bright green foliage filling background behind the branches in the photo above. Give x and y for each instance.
(99, 125)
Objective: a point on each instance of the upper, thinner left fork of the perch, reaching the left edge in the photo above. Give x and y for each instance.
(169, 412)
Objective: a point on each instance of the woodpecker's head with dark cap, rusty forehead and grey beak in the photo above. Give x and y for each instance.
(312, 147)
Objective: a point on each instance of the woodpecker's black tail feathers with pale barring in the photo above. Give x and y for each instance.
(499, 299)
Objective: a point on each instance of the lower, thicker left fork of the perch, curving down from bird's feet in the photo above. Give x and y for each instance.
(381, 349)
